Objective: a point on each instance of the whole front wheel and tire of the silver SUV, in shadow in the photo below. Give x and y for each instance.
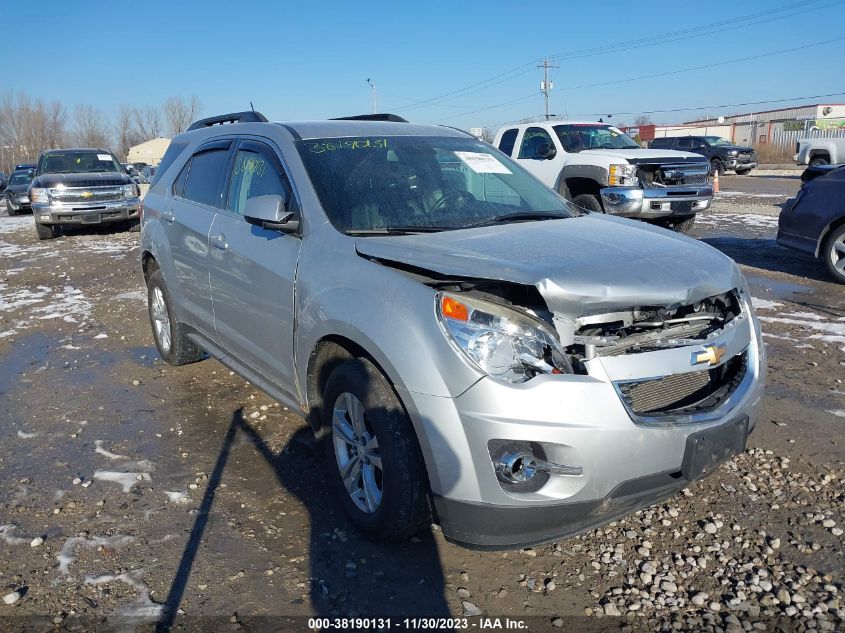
(373, 455)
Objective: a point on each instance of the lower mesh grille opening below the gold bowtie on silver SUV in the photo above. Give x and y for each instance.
(694, 392)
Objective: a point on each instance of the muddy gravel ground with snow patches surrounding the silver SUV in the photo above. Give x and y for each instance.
(185, 496)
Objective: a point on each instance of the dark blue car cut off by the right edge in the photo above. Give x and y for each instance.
(815, 222)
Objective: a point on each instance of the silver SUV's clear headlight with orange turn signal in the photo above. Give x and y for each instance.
(503, 343)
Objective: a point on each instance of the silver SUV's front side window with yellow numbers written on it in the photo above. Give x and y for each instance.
(254, 174)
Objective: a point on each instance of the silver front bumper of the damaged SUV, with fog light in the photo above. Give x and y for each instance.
(518, 465)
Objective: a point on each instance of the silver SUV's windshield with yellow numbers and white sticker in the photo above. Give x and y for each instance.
(434, 183)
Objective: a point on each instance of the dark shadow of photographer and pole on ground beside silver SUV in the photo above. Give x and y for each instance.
(349, 575)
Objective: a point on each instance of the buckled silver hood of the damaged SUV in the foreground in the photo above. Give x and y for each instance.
(582, 265)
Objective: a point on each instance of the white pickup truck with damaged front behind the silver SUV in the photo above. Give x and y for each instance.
(602, 169)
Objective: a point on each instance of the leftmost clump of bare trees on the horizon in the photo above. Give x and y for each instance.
(27, 127)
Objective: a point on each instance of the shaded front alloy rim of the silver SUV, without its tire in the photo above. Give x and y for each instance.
(357, 452)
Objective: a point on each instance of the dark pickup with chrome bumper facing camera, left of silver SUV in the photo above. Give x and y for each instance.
(81, 186)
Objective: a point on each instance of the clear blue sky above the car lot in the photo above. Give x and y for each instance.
(298, 60)
